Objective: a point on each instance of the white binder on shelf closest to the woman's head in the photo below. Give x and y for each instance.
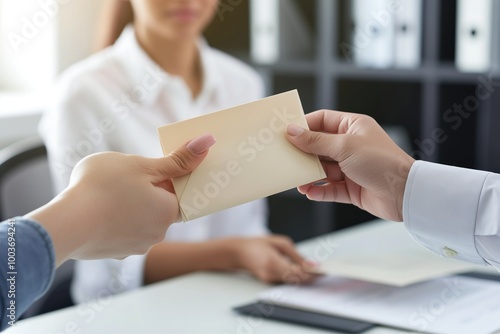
(278, 31)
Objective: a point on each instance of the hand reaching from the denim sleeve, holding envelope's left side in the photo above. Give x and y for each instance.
(116, 204)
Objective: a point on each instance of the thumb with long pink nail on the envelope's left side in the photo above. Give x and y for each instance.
(183, 160)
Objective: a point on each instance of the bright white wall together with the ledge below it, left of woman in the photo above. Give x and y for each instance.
(51, 35)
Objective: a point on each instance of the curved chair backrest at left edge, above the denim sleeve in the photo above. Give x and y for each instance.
(25, 181)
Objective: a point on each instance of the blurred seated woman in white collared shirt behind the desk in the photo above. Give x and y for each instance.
(161, 70)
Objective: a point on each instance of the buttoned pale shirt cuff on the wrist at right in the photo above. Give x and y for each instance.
(440, 208)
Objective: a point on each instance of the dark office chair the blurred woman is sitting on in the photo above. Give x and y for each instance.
(25, 184)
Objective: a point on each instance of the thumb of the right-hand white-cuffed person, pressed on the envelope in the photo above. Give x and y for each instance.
(319, 143)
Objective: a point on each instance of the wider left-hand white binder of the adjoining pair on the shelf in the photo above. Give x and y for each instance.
(373, 35)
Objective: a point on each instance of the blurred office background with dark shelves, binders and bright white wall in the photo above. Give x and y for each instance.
(426, 70)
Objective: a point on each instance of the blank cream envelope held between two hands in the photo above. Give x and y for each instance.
(251, 159)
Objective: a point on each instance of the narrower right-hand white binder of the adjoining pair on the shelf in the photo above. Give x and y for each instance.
(408, 34)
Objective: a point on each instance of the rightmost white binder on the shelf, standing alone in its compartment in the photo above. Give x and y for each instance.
(474, 35)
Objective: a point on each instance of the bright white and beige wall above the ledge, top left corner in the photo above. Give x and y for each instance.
(40, 38)
